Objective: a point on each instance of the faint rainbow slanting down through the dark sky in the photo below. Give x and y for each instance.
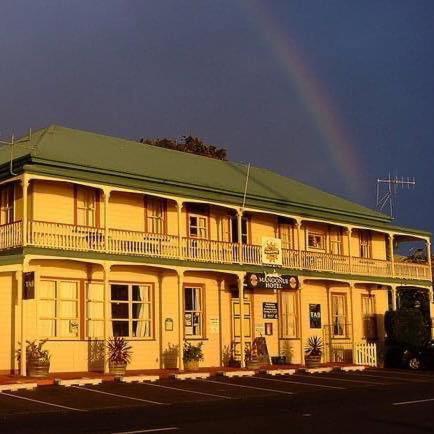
(312, 94)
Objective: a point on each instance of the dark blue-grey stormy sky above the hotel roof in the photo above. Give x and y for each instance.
(333, 93)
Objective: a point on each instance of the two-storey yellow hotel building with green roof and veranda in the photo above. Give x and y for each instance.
(119, 238)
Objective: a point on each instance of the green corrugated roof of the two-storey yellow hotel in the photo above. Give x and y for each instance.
(58, 150)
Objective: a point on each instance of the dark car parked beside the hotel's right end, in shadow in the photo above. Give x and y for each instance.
(410, 357)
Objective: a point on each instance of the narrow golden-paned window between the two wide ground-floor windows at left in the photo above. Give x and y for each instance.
(95, 310)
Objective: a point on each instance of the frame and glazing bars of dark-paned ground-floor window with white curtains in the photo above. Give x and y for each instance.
(150, 304)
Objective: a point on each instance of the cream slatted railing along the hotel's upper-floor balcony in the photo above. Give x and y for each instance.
(125, 242)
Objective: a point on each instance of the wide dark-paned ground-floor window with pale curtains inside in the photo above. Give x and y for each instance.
(131, 310)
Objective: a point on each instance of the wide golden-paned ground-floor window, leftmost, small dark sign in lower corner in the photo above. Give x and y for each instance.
(58, 309)
